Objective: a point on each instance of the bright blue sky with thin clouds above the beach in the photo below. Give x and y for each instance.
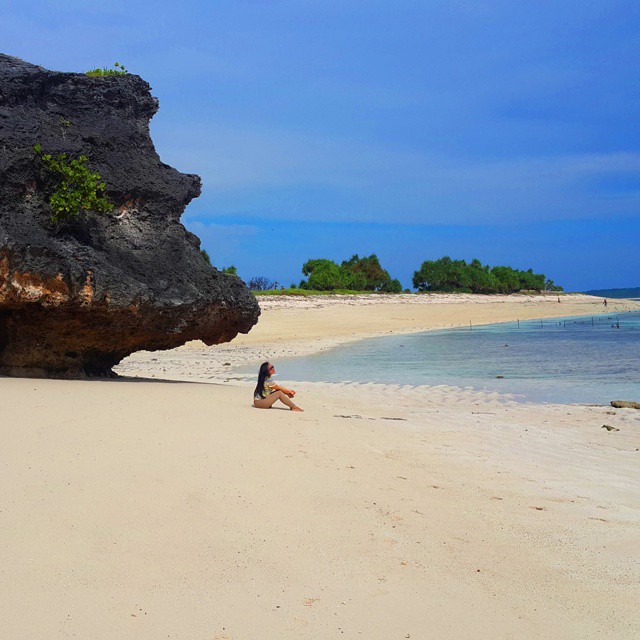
(499, 130)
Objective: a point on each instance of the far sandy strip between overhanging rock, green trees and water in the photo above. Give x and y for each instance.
(306, 326)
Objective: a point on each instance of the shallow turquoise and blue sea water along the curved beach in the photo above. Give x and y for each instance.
(591, 359)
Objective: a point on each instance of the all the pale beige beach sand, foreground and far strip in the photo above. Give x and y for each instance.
(151, 509)
